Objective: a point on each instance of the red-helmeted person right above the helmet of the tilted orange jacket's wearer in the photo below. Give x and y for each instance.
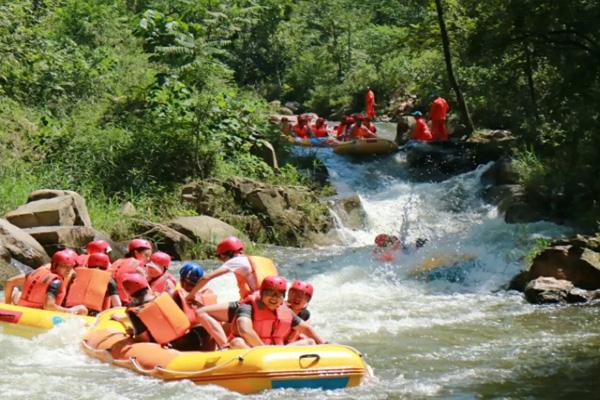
(138, 254)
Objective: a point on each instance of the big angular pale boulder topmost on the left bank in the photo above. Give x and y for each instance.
(49, 208)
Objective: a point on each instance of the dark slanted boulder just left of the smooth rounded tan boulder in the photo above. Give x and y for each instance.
(164, 238)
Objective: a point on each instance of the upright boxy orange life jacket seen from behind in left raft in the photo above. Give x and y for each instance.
(89, 288)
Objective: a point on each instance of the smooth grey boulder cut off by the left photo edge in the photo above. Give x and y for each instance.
(21, 245)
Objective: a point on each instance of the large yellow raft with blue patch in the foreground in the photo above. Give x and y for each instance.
(244, 371)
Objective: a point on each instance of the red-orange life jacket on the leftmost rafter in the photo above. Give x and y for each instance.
(35, 289)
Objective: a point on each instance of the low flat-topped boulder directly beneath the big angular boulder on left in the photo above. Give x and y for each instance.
(54, 238)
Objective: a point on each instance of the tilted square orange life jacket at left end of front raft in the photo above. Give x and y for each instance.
(164, 319)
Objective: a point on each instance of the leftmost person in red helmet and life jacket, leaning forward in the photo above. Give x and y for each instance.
(46, 288)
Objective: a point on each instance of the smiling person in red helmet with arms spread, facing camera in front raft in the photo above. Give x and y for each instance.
(264, 319)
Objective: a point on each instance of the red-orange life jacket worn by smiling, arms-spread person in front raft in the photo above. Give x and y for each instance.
(273, 327)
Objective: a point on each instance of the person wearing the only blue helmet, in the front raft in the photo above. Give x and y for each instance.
(198, 338)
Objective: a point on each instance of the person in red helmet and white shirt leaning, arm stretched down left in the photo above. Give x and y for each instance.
(247, 273)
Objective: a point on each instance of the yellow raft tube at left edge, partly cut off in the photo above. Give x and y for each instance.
(28, 322)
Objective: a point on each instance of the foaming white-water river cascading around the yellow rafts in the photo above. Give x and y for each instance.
(449, 332)
